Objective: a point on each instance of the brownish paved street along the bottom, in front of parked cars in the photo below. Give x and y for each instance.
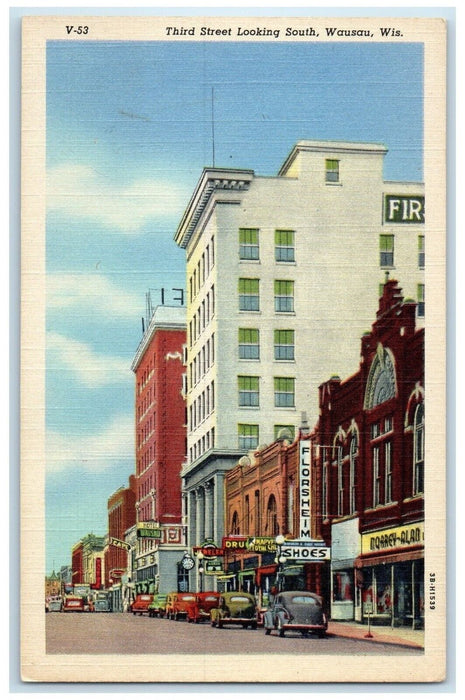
(124, 633)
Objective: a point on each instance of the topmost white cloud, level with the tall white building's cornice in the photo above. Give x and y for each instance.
(83, 192)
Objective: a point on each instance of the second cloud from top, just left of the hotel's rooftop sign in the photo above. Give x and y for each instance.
(93, 292)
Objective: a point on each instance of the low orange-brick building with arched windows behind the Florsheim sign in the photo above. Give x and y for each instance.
(261, 503)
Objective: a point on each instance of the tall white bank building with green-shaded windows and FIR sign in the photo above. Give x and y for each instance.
(283, 277)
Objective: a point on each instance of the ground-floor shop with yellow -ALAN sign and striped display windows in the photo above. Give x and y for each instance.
(390, 574)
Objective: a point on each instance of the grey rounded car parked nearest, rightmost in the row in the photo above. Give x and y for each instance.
(296, 610)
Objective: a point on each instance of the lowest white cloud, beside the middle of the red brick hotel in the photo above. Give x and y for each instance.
(92, 453)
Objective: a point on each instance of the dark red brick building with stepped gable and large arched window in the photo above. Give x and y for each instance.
(368, 453)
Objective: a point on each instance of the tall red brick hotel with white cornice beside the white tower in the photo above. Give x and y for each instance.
(160, 422)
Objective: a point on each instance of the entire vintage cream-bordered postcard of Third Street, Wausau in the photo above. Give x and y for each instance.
(232, 321)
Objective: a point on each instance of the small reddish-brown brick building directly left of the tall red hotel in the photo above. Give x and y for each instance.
(121, 517)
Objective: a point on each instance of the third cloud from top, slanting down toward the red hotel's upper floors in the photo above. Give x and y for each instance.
(92, 370)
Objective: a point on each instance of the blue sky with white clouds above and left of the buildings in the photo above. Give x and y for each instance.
(129, 130)
